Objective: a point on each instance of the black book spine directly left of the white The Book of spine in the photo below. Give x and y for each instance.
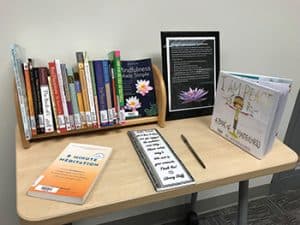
(39, 100)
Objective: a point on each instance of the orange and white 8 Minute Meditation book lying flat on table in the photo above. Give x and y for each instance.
(72, 175)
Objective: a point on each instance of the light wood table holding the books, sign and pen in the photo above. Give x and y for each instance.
(125, 184)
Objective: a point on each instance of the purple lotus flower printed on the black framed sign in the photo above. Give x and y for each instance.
(193, 95)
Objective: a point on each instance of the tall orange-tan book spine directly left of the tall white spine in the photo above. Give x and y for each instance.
(83, 85)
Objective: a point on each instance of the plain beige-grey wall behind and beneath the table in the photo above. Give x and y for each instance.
(256, 36)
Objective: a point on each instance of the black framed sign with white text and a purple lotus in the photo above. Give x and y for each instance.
(190, 68)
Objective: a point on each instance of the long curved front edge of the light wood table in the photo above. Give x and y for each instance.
(101, 210)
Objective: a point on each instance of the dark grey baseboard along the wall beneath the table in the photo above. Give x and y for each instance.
(179, 212)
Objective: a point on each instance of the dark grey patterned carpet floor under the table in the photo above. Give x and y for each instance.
(279, 209)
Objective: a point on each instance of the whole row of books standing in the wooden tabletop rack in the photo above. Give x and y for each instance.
(93, 94)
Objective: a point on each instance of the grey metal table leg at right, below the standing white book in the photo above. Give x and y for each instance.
(243, 202)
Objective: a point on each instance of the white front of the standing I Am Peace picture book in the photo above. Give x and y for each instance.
(244, 113)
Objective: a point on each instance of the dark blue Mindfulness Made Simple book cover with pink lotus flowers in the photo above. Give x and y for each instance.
(138, 86)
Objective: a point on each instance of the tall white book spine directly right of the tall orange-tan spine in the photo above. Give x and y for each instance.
(90, 91)
